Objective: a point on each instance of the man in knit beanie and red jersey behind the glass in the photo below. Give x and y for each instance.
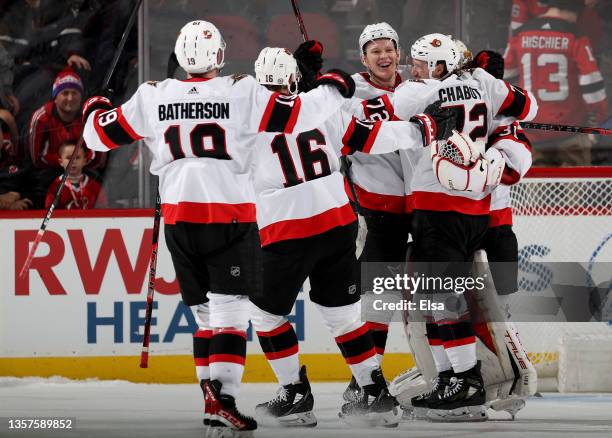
(57, 121)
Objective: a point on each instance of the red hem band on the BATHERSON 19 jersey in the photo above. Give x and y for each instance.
(206, 213)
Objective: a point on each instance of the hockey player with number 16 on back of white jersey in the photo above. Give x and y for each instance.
(307, 230)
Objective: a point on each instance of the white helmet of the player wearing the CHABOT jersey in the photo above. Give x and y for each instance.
(435, 48)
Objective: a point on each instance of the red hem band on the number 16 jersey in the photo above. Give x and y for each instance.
(306, 227)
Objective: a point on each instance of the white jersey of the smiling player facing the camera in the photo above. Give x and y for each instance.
(378, 179)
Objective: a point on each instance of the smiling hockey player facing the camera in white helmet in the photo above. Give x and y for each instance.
(378, 180)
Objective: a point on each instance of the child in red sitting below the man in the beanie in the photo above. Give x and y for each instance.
(80, 191)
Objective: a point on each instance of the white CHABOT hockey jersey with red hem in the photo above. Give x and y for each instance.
(480, 96)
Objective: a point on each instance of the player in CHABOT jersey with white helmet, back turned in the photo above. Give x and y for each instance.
(448, 224)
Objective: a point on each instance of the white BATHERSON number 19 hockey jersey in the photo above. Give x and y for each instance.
(201, 133)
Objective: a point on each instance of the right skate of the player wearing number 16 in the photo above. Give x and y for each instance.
(374, 406)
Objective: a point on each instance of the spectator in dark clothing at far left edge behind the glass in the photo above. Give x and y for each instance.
(19, 186)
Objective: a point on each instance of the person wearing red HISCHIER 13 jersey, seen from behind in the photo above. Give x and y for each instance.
(554, 60)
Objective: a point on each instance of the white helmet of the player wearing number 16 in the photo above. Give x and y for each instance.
(277, 66)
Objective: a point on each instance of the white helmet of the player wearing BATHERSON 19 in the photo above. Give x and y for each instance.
(200, 47)
